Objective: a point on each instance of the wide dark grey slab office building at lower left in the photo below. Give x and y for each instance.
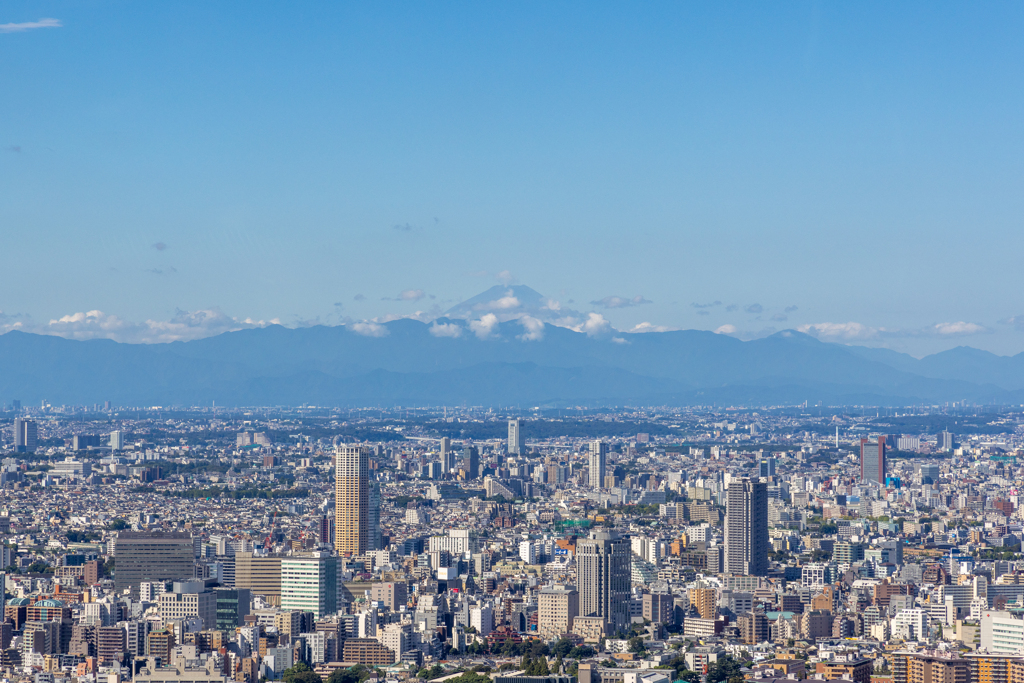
(152, 557)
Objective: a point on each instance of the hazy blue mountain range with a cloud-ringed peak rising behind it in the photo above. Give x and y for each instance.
(517, 361)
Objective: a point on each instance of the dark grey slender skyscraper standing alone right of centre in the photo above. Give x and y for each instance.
(747, 528)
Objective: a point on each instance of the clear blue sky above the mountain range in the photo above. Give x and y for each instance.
(854, 170)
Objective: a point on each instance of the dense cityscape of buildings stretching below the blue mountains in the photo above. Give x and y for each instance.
(535, 546)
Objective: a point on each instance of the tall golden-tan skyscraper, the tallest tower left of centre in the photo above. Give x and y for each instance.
(352, 529)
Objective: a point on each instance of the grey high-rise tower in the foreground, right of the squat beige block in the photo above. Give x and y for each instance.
(604, 573)
